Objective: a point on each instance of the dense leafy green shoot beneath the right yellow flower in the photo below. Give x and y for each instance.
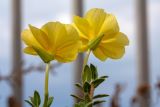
(90, 81)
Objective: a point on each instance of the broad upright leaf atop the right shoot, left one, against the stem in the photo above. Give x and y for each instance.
(86, 74)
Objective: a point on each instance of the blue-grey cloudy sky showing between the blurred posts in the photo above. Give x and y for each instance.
(38, 12)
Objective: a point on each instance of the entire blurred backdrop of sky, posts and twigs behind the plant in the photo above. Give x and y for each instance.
(139, 69)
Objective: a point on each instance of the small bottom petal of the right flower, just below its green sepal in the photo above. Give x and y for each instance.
(99, 54)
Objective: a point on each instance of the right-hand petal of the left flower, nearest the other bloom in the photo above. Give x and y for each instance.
(69, 49)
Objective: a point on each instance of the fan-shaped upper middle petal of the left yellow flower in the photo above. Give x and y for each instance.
(56, 33)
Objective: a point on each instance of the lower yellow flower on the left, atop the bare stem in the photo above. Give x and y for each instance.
(53, 41)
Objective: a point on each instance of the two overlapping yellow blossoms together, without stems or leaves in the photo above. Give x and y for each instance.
(97, 31)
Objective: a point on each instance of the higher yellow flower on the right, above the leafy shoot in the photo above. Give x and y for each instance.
(99, 31)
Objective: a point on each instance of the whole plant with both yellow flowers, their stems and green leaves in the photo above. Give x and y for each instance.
(97, 32)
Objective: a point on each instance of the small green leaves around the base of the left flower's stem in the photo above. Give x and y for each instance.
(35, 101)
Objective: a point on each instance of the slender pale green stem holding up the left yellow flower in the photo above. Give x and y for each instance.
(46, 85)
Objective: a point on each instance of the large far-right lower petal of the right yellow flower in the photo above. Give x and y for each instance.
(114, 47)
